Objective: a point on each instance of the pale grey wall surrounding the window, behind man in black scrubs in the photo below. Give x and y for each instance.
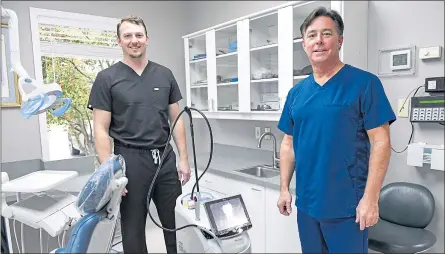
(165, 25)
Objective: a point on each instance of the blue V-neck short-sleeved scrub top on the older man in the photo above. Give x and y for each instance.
(328, 124)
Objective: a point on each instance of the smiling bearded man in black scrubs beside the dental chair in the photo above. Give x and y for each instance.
(132, 102)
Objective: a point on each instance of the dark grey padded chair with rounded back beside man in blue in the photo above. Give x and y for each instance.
(406, 209)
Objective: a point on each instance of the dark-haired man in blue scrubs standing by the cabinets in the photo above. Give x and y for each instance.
(336, 125)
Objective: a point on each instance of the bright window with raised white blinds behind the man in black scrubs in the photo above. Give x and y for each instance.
(70, 49)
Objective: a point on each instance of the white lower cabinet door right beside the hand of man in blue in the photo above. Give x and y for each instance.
(281, 231)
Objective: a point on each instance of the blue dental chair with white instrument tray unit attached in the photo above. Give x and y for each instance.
(90, 217)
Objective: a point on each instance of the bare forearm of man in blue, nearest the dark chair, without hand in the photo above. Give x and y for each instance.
(378, 162)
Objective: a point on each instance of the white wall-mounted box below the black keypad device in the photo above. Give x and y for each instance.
(422, 153)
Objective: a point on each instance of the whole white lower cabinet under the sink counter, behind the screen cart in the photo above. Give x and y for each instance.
(271, 231)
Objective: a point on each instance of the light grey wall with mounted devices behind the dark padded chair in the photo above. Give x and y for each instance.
(395, 24)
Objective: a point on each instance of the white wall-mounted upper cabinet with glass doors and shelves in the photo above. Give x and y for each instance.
(244, 68)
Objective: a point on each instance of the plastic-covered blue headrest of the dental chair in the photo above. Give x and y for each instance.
(99, 188)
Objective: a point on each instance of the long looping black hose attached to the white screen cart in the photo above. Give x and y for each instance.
(188, 111)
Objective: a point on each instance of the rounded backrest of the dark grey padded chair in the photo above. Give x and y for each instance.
(406, 204)
